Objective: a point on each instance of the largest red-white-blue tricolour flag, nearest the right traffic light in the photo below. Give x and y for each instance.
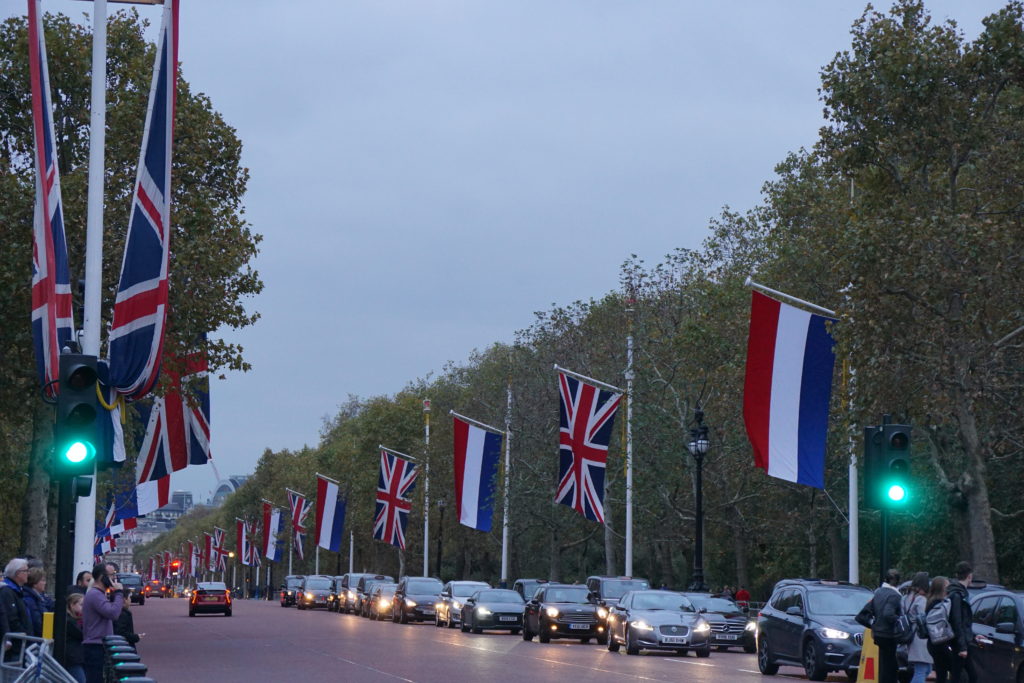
(790, 363)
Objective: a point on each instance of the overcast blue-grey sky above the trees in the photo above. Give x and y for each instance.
(429, 174)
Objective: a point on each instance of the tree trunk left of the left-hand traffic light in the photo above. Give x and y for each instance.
(35, 505)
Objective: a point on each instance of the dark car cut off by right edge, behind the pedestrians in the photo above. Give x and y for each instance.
(999, 630)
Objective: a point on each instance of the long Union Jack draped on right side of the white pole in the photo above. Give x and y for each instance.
(141, 306)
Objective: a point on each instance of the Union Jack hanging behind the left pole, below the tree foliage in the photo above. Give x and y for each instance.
(178, 433)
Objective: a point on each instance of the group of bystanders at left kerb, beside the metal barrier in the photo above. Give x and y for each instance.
(97, 607)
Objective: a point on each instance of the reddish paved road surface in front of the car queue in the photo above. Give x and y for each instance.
(264, 643)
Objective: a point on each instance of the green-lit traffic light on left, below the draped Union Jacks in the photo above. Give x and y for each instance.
(77, 433)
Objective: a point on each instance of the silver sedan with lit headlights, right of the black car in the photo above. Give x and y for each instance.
(658, 621)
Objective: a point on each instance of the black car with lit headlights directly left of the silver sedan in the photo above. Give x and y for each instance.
(563, 611)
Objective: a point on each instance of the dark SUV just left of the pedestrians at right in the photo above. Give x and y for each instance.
(809, 623)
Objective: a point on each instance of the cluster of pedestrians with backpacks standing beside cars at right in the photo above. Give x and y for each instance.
(900, 620)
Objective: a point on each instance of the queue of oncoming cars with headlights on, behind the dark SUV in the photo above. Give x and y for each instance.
(621, 613)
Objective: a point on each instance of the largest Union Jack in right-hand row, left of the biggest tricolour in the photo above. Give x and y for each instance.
(587, 415)
